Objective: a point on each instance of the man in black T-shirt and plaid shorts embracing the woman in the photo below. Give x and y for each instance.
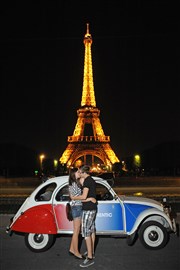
(89, 213)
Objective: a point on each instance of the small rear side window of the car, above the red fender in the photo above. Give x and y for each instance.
(45, 193)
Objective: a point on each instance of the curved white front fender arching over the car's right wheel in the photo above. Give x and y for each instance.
(151, 214)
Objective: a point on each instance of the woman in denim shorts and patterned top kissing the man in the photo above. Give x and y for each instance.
(76, 206)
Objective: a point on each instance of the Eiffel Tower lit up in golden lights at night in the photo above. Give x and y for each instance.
(88, 139)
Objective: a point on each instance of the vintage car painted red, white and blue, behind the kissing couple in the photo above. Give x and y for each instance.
(43, 216)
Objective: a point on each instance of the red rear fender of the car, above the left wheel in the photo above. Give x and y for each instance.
(38, 219)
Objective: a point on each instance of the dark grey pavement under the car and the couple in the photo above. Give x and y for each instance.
(111, 253)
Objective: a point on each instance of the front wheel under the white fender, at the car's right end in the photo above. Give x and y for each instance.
(153, 235)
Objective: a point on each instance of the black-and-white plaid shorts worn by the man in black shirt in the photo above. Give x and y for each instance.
(88, 222)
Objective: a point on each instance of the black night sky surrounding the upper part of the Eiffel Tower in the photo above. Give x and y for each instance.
(135, 55)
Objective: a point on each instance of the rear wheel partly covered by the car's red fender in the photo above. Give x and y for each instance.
(39, 242)
